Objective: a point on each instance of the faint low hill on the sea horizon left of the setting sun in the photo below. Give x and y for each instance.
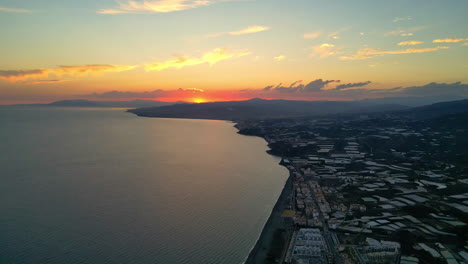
(119, 104)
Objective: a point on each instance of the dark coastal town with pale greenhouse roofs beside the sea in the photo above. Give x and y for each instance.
(369, 189)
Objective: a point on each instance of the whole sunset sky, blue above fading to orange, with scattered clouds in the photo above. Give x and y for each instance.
(215, 50)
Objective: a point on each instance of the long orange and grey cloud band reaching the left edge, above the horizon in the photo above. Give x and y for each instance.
(37, 76)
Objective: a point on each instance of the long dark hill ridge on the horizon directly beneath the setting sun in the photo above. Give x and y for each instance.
(259, 109)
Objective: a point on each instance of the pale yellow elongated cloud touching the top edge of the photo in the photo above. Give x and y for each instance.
(156, 6)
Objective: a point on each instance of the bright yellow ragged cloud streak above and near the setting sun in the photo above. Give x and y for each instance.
(211, 58)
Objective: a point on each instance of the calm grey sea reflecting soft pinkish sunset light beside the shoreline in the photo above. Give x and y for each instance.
(105, 186)
